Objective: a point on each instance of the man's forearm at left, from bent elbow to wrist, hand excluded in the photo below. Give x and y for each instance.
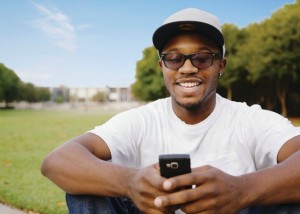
(74, 169)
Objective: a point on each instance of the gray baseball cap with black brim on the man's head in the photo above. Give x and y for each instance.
(189, 20)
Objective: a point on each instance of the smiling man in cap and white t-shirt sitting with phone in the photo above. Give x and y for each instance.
(241, 156)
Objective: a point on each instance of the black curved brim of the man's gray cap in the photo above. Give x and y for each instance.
(163, 34)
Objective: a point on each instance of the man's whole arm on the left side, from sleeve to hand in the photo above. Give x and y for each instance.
(79, 167)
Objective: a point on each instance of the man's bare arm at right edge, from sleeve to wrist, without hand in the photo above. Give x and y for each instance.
(277, 184)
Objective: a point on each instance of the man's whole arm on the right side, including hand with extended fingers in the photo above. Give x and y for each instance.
(222, 193)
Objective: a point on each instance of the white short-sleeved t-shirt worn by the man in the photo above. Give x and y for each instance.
(235, 138)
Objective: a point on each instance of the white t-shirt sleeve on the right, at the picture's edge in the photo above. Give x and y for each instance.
(267, 131)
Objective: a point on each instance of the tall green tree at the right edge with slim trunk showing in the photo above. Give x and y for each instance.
(275, 55)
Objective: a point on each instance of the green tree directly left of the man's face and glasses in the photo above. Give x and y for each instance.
(149, 83)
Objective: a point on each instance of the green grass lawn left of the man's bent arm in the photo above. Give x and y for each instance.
(25, 139)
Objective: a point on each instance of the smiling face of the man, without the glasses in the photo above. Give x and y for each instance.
(192, 88)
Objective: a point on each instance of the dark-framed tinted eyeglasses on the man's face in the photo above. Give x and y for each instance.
(200, 60)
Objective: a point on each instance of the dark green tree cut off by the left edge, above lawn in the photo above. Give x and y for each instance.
(9, 85)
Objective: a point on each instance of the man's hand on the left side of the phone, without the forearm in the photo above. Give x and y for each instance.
(144, 185)
